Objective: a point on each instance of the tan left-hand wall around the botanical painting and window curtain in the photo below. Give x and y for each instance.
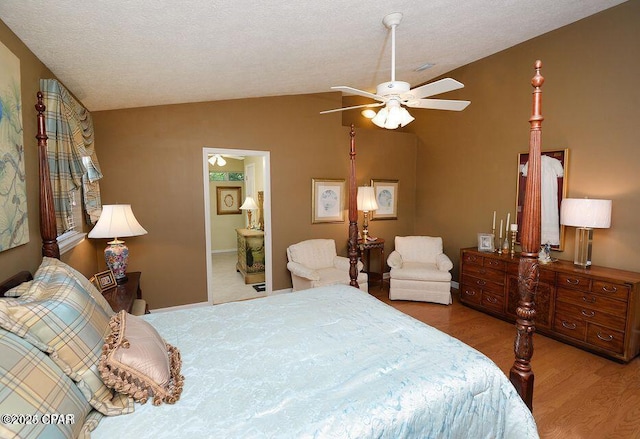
(28, 256)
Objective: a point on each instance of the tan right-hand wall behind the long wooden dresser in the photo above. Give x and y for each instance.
(591, 104)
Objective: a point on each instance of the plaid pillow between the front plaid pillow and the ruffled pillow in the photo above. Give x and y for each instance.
(60, 318)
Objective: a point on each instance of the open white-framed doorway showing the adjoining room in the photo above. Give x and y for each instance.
(226, 225)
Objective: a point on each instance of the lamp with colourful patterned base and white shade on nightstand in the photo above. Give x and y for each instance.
(117, 221)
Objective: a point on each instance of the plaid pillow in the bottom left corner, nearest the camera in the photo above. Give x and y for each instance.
(31, 385)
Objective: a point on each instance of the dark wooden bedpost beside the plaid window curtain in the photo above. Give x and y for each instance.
(47, 210)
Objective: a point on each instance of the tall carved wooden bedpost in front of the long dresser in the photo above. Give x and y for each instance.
(521, 374)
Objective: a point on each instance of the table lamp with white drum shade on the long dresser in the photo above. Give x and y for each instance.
(586, 214)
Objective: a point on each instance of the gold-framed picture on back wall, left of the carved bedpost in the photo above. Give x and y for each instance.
(328, 200)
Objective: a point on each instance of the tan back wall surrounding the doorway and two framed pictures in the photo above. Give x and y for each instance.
(152, 158)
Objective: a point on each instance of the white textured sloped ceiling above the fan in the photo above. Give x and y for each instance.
(123, 53)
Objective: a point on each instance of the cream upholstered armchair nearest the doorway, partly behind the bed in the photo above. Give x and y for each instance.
(315, 263)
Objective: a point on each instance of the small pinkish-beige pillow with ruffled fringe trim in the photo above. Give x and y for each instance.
(136, 361)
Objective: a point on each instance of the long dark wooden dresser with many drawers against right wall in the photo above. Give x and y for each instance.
(595, 309)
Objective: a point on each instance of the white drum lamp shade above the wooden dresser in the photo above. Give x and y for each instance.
(586, 212)
